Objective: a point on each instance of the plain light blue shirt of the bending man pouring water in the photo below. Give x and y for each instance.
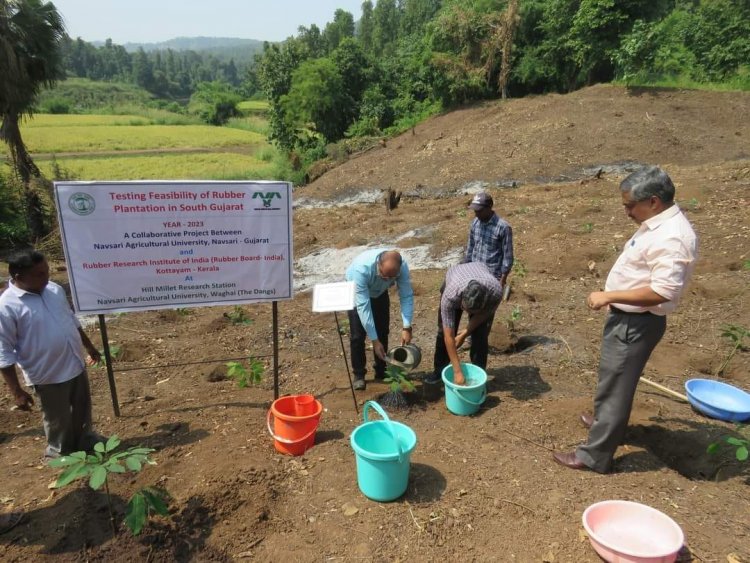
(363, 271)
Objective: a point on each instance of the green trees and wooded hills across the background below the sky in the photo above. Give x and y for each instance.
(330, 91)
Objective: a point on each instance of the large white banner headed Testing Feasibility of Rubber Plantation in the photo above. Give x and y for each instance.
(158, 245)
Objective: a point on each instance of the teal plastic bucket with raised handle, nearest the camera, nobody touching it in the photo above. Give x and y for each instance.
(382, 449)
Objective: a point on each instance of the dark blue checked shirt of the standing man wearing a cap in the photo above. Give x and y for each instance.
(491, 242)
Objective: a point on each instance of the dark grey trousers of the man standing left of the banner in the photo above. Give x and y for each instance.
(66, 413)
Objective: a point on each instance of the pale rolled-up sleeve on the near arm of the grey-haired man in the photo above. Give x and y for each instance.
(670, 262)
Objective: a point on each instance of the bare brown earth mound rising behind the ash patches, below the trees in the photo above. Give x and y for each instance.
(553, 137)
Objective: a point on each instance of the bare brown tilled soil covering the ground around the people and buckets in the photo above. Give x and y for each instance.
(482, 488)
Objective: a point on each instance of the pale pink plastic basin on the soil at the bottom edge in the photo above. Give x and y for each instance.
(622, 531)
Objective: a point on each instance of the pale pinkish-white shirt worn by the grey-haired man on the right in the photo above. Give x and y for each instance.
(661, 255)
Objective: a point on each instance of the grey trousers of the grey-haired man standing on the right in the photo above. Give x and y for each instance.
(627, 343)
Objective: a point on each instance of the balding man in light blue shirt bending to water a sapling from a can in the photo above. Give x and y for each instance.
(373, 273)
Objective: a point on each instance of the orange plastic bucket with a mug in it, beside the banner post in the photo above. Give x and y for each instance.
(293, 432)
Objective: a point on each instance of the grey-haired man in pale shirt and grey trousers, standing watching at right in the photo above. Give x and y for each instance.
(643, 287)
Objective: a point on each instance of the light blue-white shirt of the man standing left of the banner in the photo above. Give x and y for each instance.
(39, 333)
